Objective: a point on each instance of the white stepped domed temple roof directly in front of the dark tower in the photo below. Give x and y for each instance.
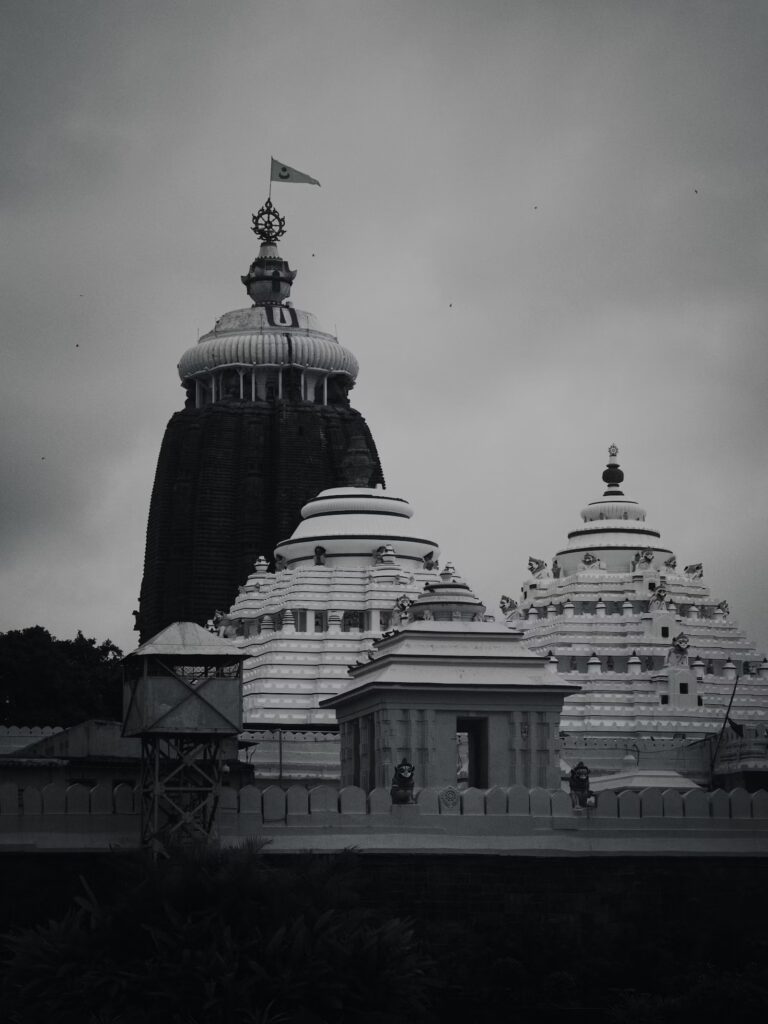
(350, 571)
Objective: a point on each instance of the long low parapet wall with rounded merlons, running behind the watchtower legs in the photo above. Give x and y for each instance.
(327, 819)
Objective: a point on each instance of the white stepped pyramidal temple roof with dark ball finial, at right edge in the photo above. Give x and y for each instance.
(657, 655)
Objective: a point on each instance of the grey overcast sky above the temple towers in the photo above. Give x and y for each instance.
(542, 228)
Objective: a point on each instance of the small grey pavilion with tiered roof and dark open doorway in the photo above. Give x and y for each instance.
(450, 679)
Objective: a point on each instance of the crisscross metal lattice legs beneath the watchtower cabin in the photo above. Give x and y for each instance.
(181, 789)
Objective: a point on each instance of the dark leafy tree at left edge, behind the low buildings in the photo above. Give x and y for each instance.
(46, 681)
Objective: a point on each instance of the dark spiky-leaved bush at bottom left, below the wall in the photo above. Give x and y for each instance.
(218, 940)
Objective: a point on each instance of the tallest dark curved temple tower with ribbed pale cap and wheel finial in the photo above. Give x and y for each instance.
(267, 425)
